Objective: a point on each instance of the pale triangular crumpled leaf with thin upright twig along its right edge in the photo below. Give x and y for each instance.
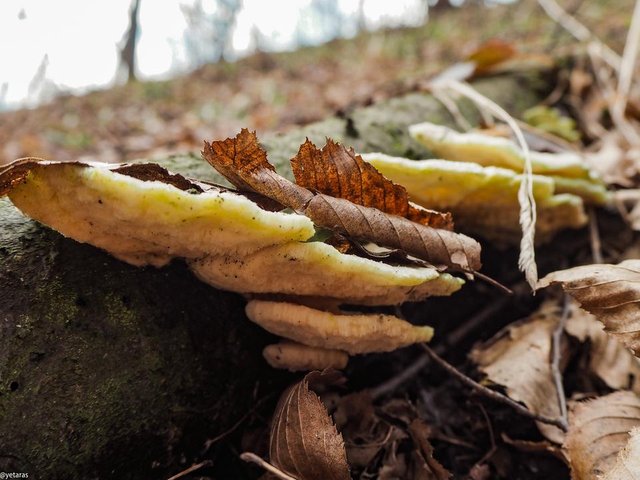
(519, 358)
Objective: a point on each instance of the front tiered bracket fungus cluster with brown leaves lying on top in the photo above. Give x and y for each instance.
(263, 238)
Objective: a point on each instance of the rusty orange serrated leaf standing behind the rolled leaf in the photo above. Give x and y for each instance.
(338, 172)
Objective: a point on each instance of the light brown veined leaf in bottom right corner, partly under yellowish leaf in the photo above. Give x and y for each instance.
(598, 430)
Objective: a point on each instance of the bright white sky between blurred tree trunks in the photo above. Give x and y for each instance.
(80, 37)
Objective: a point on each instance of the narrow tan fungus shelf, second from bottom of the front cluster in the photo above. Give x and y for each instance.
(353, 333)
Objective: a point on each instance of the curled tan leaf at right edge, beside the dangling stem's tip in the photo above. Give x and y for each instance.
(610, 292)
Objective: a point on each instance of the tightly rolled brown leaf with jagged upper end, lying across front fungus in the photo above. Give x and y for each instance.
(243, 156)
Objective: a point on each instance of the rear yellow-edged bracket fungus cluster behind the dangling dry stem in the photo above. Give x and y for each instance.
(476, 176)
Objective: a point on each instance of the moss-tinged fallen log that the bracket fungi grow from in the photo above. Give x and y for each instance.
(112, 371)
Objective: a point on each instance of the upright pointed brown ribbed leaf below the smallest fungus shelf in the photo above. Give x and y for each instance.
(304, 441)
